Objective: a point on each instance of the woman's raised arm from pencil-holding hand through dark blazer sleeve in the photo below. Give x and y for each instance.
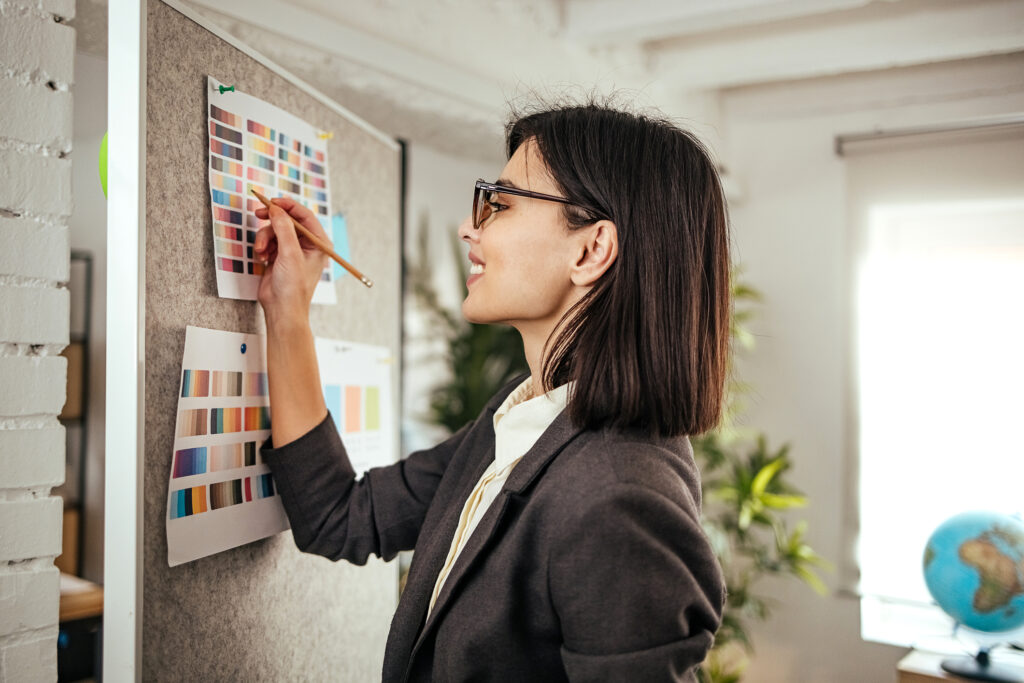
(331, 513)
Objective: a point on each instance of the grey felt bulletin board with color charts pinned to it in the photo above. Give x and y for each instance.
(263, 612)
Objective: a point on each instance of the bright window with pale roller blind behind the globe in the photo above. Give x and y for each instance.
(938, 357)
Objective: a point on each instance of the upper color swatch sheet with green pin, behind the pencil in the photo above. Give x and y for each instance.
(257, 146)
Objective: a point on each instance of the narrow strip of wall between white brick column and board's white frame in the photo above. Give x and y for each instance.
(89, 233)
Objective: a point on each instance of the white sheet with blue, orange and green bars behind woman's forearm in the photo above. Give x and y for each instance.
(357, 385)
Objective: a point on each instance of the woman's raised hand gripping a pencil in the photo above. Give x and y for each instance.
(294, 265)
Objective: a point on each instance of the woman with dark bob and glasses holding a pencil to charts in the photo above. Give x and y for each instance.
(558, 537)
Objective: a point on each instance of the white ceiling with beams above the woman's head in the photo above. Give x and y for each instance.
(442, 72)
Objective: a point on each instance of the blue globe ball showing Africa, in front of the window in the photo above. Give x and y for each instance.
(974, 569)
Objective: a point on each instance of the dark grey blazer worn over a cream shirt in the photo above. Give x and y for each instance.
(590, 566)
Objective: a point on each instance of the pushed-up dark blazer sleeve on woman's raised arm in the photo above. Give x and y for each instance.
(338, 517)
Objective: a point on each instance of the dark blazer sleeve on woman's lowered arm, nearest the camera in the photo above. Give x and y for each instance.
(636, 586)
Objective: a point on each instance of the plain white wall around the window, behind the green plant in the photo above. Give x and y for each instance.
(791, 236)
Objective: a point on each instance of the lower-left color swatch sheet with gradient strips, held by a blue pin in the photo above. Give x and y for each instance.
(221, 492)
